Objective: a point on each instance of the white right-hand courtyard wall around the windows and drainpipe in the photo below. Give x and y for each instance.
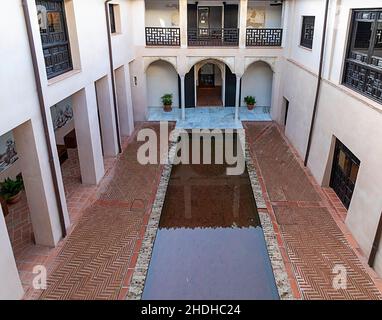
(342, 113)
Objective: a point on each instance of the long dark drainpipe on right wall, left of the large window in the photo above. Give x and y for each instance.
(318, 84)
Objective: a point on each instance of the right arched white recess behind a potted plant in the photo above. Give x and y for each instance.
(257, 81)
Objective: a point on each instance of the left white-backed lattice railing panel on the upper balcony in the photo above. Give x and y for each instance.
(158, 36)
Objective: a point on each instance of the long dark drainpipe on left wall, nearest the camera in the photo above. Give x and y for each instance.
(44, 117)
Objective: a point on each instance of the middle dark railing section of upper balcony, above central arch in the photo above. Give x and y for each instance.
(213, 37)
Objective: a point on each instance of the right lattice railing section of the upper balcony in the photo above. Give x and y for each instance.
(266, 37)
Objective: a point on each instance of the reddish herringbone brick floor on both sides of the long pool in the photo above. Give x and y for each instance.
(97, 259)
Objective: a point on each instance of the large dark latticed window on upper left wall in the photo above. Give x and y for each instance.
(54, 37)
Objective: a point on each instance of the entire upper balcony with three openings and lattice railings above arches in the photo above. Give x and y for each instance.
(212, 25)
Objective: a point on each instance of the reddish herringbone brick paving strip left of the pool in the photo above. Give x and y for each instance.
(96, 257)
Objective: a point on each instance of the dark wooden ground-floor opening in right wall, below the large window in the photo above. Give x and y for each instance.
(344, 173)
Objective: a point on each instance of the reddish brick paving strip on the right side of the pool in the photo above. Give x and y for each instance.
(309, 222)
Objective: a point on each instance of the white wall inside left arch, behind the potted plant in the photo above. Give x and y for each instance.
(162, 78)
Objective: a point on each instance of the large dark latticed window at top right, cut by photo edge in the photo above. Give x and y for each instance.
(363, 65)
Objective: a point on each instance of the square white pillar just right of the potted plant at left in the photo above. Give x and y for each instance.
(38, 183)
